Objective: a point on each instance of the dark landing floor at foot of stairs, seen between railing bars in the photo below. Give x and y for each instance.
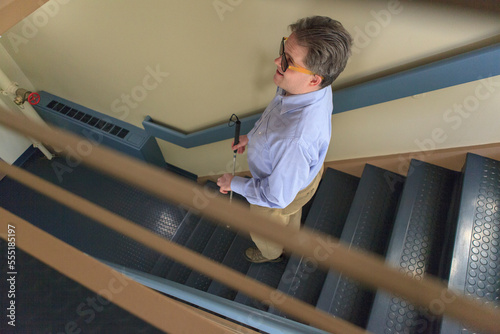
(81, 232)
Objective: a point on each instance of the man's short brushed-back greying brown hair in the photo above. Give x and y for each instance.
(328, 44)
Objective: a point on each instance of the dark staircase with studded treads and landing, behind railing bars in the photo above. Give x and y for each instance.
(434, 221)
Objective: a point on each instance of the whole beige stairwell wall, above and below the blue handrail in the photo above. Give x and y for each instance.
(215, 58)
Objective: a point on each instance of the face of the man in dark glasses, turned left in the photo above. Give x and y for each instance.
(294, 82)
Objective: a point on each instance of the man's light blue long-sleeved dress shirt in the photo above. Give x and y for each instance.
(287, 147)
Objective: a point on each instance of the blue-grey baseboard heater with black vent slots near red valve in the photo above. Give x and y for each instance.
(109, 131)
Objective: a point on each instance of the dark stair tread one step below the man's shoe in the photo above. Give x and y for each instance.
(216, 250)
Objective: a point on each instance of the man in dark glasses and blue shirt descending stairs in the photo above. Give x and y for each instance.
(288, 144)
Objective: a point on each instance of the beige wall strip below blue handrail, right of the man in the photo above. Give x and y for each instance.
(463, 115)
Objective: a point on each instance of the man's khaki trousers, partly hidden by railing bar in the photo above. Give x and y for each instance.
(291, 216)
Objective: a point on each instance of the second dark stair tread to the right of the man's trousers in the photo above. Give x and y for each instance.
(367, 227)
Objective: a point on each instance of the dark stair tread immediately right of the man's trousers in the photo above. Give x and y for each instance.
(302, 278)
